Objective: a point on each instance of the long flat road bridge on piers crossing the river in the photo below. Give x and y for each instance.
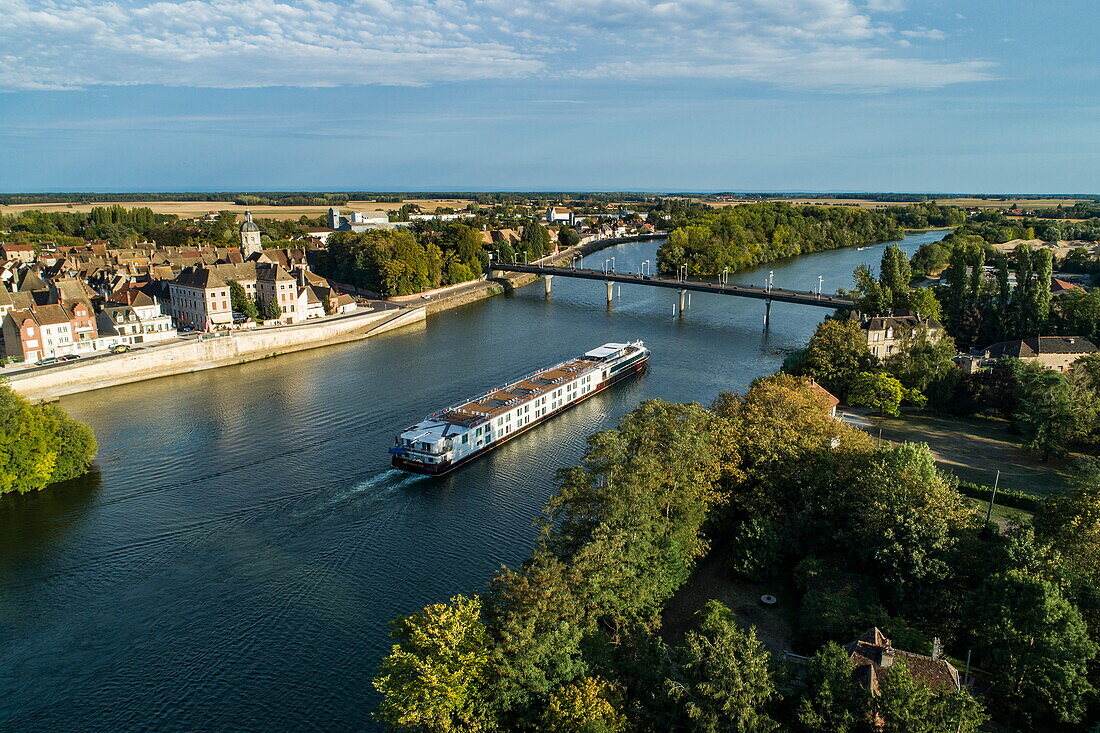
(766, 293)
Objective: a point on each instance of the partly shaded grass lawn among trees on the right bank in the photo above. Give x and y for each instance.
(974, 450)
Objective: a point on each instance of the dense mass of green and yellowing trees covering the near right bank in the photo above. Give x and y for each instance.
(774, 488)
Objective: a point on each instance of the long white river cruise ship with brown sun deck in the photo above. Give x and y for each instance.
(455, 436)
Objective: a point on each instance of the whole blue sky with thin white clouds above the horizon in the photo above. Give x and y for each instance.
(980, 96)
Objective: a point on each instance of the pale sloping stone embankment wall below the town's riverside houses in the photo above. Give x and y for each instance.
(207, 352)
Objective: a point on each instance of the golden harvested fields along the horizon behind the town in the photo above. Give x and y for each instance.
(189, 210)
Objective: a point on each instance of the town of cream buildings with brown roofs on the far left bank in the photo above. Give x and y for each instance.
(62, 302)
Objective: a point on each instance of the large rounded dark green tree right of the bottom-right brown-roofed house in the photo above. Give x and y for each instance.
(1037, 646)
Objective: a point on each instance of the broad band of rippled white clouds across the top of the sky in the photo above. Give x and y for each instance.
(834, 45)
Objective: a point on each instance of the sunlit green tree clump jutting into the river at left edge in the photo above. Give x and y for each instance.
(40, 445)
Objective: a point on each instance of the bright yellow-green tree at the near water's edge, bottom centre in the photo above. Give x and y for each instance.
(434, 679)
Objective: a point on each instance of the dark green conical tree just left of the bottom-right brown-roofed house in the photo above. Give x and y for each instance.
(832, 702)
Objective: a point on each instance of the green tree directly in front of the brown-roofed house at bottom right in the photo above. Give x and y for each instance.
(909, 706)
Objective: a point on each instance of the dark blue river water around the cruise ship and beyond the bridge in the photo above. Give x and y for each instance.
(235, 560)
